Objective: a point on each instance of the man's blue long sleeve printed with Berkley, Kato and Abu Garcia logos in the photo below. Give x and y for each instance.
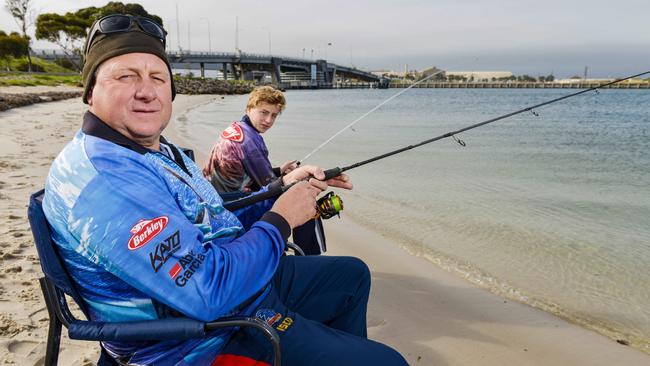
(126, 217)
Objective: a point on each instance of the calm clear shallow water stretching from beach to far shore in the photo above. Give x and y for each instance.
(551, 210)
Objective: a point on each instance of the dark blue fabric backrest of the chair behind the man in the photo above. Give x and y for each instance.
(51, 262)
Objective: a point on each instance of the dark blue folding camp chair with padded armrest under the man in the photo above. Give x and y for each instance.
(56, 284)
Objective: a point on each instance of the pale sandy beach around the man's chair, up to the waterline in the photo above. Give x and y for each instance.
(429, 315)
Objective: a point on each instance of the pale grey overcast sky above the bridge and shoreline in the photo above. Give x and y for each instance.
(542, 37)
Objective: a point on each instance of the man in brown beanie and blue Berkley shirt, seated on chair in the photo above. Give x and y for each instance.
(145, 236)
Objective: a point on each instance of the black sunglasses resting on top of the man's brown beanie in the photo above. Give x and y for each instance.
(117, 23)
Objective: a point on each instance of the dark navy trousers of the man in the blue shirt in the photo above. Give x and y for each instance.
(318, 307)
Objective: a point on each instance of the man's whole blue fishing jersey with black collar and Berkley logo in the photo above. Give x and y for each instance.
(145, 236)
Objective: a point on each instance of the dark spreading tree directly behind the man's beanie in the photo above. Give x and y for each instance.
(68, 31)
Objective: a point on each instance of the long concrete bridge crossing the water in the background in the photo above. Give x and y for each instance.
(285, 72)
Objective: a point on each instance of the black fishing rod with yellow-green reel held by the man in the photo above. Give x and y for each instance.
(335, 172)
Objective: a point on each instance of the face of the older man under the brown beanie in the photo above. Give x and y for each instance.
(133, 95)
